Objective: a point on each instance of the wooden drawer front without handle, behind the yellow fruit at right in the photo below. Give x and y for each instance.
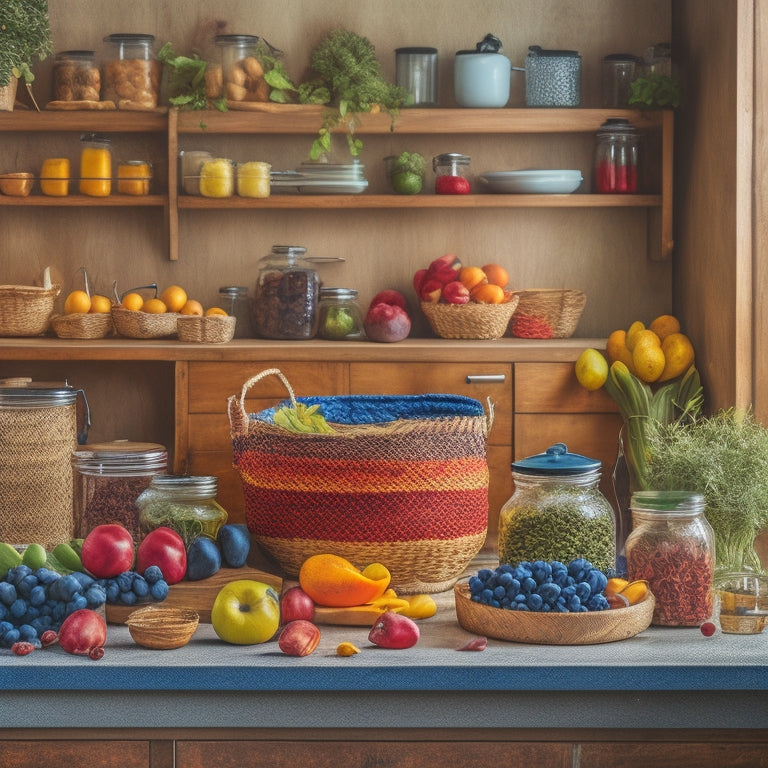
(552, 388)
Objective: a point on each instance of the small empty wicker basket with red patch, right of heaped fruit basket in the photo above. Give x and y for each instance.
(547, 313)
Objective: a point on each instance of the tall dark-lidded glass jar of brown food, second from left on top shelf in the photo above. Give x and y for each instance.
(131, 74)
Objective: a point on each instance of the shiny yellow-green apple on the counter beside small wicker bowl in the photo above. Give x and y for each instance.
(246, 612)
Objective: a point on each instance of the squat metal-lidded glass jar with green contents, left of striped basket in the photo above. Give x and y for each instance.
(185, 503)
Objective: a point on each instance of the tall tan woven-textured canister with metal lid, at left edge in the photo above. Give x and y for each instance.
(38, 433)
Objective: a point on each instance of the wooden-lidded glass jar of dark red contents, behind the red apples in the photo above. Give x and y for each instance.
(109, 477)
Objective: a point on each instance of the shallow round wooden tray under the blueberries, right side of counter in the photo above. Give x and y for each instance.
(588, 628)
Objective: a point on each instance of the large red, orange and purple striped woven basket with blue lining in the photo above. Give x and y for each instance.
(402, 481)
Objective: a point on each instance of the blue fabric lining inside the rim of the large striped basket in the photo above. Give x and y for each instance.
(375, 409)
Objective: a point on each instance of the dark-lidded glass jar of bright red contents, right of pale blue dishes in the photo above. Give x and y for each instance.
(616, 157)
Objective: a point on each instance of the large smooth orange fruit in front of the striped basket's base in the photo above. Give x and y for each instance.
(333, 581)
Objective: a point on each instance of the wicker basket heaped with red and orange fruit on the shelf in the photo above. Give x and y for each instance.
(465, 302)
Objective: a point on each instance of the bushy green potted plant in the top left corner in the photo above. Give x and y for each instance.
(25, 37)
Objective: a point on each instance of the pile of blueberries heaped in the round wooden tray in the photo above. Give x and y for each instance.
(542, 586)
